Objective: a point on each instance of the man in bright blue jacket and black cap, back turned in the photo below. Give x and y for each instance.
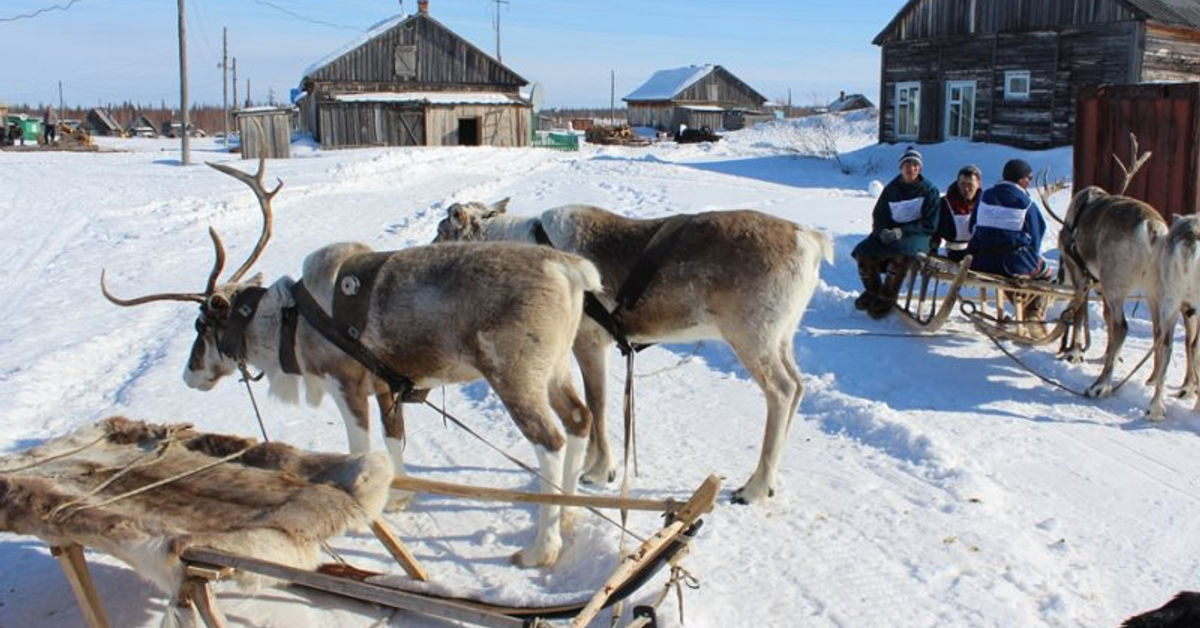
(1009, 229)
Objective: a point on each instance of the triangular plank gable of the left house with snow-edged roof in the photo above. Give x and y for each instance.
(417, 50)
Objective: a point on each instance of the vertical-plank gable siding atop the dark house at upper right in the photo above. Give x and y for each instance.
(935, 20)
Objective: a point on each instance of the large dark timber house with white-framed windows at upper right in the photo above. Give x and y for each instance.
(1009, 71)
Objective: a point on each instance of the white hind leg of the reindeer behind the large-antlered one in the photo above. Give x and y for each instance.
(781, 391)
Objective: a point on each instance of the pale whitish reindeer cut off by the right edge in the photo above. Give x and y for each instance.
(1178, 289)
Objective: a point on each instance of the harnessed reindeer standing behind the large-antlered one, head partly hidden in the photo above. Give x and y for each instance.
(742, 277)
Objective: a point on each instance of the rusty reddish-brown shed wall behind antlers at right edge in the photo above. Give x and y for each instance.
(1167, 122)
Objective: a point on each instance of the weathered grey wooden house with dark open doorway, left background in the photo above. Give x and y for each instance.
(412, 82)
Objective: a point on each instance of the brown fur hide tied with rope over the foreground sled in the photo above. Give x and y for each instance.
(274, 503)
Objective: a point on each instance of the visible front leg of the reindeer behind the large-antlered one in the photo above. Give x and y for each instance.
(592, 348)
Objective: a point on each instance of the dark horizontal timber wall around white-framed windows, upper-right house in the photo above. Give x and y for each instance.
(1060, 63)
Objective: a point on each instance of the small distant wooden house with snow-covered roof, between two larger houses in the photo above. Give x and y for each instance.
(697, 97)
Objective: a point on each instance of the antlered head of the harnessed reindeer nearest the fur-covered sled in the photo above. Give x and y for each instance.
(218, 352)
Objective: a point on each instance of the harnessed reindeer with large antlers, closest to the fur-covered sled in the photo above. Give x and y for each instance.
(503, 313)
